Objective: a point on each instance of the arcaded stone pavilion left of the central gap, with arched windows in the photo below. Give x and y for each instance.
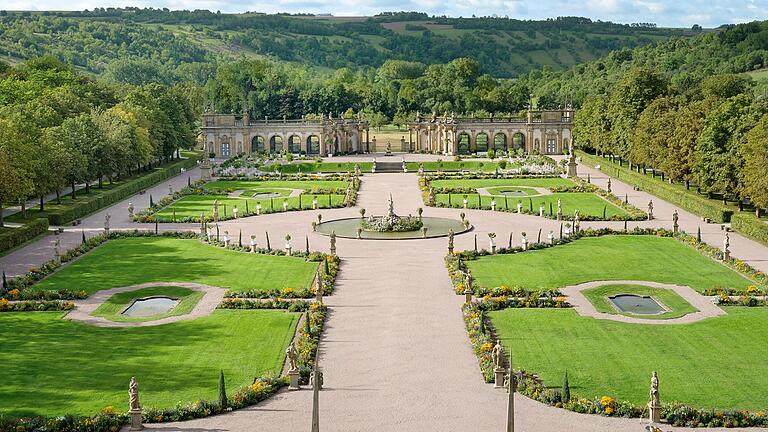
(228, 135)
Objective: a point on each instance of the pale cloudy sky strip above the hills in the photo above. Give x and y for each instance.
(669, 13)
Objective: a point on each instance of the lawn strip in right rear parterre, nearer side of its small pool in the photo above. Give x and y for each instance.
(588, 204)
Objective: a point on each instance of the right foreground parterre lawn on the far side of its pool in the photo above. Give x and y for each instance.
(614, 257)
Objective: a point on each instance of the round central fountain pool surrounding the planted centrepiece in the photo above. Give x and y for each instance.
(436, 227)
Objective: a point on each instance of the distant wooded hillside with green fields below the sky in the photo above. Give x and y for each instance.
(156, 44)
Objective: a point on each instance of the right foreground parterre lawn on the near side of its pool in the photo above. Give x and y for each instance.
(715, 363)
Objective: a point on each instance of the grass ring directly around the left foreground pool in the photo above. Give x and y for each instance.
(112, 309)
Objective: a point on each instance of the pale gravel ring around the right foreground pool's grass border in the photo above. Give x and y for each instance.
(706, 309)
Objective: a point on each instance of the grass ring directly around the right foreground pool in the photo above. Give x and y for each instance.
(671, 300)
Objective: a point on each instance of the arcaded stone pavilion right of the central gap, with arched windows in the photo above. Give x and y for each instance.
(544, 132)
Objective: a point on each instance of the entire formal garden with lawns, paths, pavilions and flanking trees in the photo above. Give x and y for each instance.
(489, 271)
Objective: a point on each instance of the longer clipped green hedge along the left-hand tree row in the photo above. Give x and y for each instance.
(85, 206)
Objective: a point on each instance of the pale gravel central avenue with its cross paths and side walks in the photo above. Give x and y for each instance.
(395, 353)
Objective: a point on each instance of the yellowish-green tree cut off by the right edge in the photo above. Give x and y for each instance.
(755, 171)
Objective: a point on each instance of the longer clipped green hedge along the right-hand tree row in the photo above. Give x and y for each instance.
(689, 201)
